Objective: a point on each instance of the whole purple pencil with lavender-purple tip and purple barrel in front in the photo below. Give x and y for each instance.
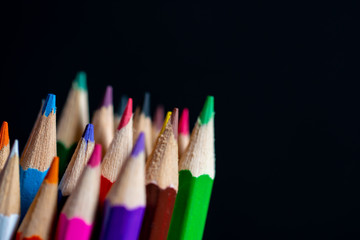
(125, 203)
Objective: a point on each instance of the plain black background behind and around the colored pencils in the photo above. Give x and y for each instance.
(284, 76)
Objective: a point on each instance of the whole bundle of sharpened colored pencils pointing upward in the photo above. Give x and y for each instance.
(145, 179)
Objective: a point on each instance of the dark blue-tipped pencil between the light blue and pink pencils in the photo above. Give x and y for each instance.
(77, 164)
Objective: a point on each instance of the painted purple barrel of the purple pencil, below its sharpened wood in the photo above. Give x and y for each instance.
(122, 223)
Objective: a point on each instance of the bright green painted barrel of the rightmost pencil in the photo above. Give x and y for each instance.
(190, 211)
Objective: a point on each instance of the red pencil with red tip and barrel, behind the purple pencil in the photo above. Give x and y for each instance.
(118, 152)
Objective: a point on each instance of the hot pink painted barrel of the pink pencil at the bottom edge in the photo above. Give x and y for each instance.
(74, 228)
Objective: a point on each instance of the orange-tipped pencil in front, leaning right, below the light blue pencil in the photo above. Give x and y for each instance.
(39, 219)
